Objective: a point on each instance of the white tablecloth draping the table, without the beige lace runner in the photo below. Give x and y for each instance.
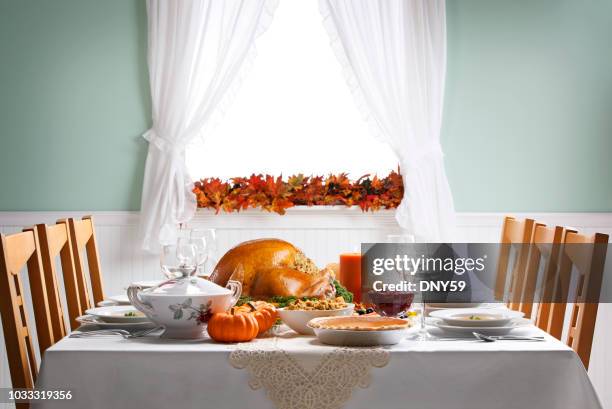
(154, 373)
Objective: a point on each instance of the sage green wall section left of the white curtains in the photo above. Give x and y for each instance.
(74, 100)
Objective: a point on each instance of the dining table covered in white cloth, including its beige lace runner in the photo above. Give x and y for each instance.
(286, 370)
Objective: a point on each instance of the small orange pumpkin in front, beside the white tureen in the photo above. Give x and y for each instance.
(233, 326)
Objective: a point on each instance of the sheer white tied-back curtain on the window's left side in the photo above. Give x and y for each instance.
(198, 52)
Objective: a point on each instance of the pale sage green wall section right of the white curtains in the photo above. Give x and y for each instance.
(528, 116)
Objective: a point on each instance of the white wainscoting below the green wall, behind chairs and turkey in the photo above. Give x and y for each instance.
(321, 232)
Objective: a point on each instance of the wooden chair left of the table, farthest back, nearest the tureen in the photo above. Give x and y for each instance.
(83, 237)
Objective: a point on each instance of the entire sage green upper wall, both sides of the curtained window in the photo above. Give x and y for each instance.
(528, 116)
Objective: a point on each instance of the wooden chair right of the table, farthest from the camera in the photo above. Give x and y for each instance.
(515, 234)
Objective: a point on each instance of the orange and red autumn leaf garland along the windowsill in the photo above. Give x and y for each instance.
(274, 194)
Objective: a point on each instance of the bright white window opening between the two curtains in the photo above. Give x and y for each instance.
(294, 112)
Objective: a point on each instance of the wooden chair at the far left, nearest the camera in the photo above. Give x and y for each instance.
(17, 251)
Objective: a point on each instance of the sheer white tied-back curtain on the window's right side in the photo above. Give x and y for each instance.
(394, 57)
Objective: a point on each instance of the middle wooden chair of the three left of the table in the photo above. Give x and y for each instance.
(55, 241)
